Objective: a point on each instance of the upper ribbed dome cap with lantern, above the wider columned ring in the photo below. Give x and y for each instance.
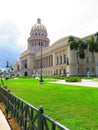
(38, 29)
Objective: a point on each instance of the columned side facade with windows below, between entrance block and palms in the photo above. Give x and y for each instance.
(53, 64)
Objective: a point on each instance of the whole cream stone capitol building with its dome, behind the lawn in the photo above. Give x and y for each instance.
(56, 59)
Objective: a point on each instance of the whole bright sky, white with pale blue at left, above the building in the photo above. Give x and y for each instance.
(61, 18)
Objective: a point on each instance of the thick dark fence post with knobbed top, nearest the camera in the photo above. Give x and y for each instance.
(40, 119)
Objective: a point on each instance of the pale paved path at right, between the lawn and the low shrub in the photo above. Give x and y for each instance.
(87, 83)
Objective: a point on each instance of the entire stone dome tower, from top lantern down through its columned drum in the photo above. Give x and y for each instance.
(38, 37)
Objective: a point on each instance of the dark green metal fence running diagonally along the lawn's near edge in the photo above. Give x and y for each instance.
(27, 116)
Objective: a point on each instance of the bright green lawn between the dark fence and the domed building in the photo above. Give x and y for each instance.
(73, 106)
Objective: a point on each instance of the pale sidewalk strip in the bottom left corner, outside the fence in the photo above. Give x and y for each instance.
(3, 122)
